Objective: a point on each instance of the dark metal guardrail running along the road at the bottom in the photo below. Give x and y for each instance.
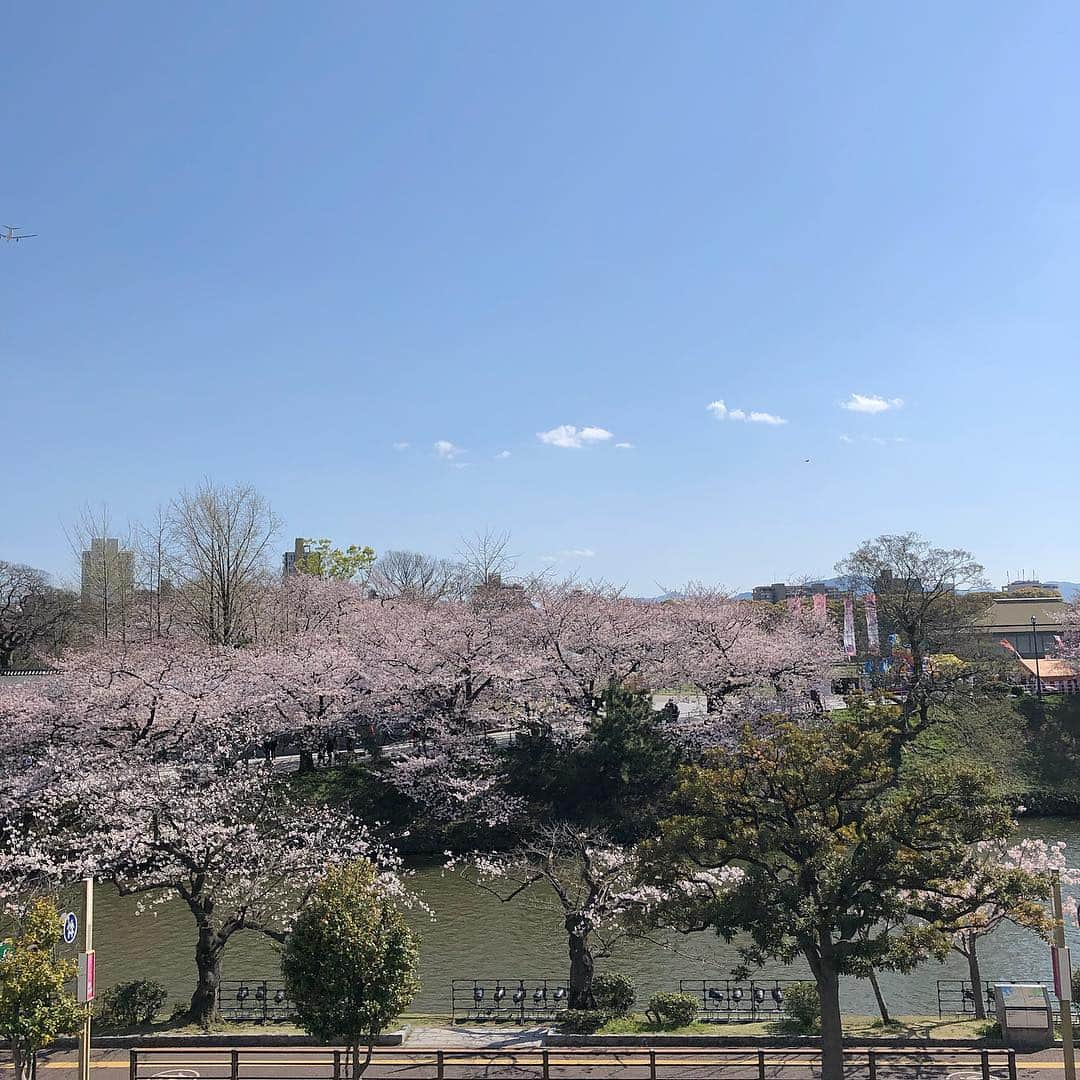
(572, 1064)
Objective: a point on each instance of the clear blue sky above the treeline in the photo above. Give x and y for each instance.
(276, 240)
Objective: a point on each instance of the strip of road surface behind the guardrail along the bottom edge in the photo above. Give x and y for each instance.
(402, 1063)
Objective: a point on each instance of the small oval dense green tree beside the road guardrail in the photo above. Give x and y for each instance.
(350, 962)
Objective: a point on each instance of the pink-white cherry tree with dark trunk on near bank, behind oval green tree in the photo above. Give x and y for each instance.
(231, 844)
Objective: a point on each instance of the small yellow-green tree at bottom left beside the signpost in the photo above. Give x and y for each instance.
(35, 1005)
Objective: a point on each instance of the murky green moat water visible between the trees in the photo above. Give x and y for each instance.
(476, 936)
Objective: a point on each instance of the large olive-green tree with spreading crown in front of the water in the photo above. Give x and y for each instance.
(848, 859)
